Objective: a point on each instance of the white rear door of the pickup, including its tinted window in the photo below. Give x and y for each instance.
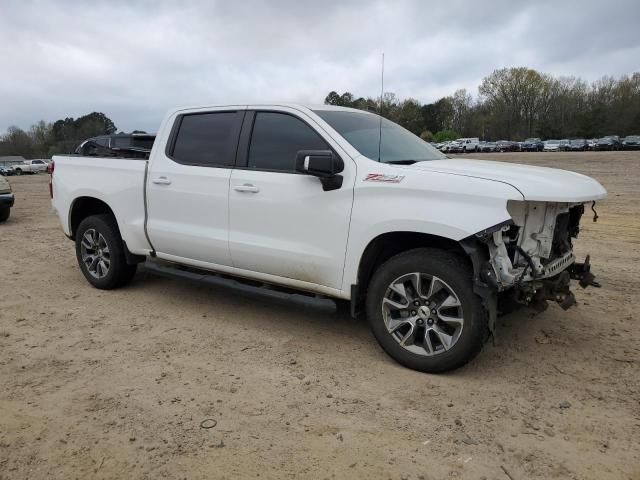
(188, 187)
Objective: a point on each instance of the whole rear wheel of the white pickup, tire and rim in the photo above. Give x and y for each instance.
(100, 253)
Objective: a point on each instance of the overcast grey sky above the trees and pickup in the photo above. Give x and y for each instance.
(134, 60)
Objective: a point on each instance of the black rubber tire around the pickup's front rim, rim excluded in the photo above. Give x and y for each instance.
(456, 273)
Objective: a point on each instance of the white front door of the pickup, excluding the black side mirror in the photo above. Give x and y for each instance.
(283, 223)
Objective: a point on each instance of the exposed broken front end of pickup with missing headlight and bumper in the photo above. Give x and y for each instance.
(530, 258)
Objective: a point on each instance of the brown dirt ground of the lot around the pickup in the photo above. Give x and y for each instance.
(98, 384)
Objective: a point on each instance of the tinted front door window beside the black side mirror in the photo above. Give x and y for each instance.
(276, 140)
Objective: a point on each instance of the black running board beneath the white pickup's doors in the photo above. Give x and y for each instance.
(240, 285)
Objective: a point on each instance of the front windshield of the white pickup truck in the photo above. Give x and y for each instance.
(362, 131)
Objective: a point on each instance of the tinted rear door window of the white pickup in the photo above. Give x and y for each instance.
(207, 139)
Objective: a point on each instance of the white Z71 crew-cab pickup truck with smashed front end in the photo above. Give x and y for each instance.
(338, 203)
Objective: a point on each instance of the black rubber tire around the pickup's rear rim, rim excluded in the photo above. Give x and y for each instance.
(119, 272)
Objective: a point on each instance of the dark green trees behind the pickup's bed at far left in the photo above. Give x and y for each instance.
(44, 139)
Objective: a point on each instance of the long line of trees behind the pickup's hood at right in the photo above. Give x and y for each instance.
(516, 103)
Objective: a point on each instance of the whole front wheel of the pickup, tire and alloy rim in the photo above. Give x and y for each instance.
(423, 312)
